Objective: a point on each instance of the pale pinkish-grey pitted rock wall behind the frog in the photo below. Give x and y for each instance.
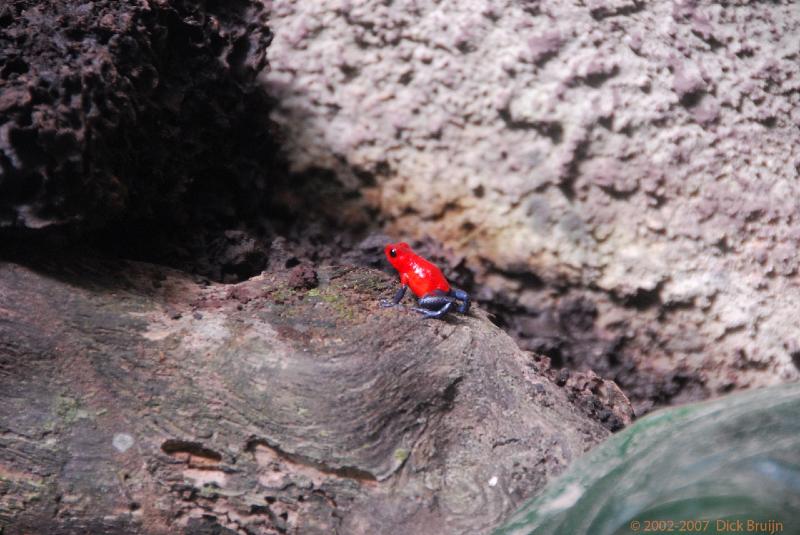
(623, 174)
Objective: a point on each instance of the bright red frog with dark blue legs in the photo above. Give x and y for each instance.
(435, 295)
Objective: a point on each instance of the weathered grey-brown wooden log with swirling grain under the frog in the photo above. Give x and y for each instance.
(137, 399)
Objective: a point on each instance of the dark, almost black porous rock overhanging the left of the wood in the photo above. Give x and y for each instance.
(136, 110)
